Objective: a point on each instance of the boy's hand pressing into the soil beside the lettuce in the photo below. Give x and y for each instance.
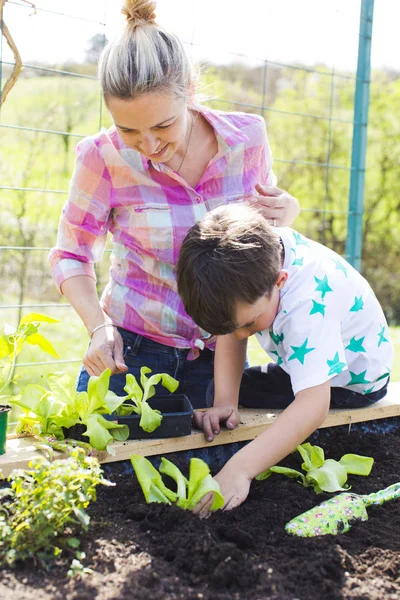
(235, 486)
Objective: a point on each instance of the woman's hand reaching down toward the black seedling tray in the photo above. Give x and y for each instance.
(105, 352)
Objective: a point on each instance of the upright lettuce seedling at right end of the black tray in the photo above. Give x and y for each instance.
(150, 418)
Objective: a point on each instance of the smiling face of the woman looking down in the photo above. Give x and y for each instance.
(155, 125)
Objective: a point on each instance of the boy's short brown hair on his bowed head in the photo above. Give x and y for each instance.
(230, 255)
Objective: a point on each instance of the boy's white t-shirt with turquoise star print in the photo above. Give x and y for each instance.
(329, 324)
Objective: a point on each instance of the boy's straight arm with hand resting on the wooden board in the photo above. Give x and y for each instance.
(230, 358)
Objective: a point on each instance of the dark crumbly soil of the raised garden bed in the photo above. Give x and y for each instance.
(143, 552)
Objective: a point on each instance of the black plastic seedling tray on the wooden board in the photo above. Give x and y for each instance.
(176, 410)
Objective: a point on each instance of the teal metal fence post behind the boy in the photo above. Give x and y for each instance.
(359, 148)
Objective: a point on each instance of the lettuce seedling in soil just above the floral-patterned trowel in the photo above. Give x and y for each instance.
(323, 475)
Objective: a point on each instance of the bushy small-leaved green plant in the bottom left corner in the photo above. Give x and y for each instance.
(45, 506)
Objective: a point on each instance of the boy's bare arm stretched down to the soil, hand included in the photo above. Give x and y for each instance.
(306, 413)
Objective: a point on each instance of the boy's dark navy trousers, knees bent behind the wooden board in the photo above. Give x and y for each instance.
(269, 387)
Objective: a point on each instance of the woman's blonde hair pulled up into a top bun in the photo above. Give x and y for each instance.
(144, 58)
